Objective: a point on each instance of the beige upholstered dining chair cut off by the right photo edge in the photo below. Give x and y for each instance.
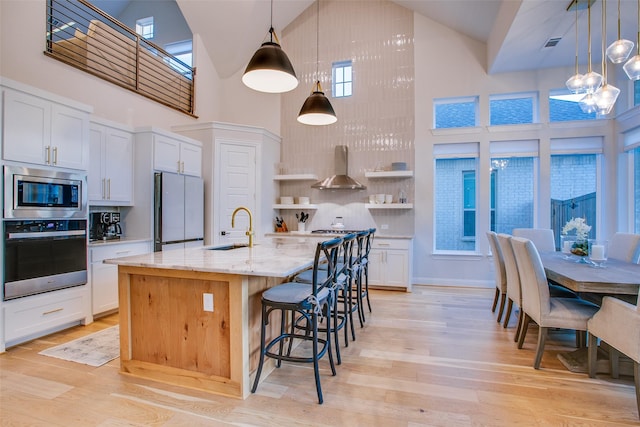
(617, 323)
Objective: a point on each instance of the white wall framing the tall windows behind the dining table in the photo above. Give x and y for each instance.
(448, 64)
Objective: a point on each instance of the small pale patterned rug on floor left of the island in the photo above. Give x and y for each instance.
(94, 350)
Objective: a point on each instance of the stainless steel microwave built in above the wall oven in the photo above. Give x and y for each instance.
(40, 193)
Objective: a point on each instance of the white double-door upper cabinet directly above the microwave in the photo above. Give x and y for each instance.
(39, 131)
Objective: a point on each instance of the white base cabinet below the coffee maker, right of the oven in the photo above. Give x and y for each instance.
(104, 277)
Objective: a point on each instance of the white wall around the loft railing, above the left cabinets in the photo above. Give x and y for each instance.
(22, 59)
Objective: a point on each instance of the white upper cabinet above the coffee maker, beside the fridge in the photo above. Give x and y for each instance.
(110, 179)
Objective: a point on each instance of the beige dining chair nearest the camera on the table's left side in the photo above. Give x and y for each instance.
(539, 306)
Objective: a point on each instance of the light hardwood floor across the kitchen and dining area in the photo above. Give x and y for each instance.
(434, 357)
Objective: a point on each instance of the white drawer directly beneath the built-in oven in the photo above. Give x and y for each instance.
(32, 315)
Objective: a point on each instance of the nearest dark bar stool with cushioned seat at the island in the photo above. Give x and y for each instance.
(296, 302)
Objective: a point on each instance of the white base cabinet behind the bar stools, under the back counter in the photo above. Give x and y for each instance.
(390, 263)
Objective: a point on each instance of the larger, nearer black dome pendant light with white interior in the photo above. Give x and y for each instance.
(270, 70)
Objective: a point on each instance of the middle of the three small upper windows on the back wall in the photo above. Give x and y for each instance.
(513, 109)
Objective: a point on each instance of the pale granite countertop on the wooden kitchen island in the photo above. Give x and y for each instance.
(270, 257)
